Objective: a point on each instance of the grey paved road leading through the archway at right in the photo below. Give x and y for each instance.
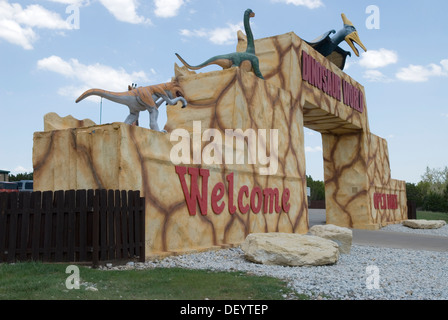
(388, 239)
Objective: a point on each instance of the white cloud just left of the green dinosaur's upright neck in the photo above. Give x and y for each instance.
(220, 36)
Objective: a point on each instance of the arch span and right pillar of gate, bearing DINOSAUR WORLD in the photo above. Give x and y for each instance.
(360, 192)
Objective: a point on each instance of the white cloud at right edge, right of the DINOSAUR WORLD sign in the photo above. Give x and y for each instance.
(418, 73)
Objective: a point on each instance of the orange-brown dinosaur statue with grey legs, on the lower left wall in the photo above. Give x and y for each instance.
(143, 98)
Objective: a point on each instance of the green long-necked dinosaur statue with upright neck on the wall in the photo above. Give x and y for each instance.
(247, 60)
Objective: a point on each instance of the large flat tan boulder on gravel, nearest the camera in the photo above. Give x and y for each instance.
(290, 249)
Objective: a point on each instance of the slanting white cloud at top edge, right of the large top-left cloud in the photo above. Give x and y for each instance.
(124, 10)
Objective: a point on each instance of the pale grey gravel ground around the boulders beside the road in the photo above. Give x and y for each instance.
(402, 274)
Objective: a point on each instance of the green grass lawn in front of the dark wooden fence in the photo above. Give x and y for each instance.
(30, 281)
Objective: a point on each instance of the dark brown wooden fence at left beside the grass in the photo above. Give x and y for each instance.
(72, 226)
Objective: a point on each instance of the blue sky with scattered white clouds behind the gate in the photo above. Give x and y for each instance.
(53, 50)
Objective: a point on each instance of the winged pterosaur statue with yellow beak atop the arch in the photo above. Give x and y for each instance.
(329, 46)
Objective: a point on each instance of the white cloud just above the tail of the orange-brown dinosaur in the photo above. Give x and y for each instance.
(90, 76)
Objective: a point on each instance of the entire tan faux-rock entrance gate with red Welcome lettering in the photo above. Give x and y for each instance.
(196, 205)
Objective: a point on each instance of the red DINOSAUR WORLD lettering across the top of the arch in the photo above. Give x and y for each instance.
(324, 79)
